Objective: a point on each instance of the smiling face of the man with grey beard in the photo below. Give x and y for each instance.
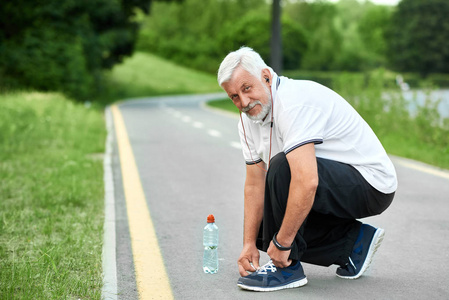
(250, 94)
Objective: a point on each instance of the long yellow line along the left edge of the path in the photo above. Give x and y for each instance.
(151, 276)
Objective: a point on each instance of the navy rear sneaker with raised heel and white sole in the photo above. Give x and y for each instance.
(367, 243)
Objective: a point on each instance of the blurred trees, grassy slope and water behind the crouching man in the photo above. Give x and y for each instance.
(387, 58)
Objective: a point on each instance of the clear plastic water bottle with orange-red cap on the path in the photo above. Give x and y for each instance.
(210, 242)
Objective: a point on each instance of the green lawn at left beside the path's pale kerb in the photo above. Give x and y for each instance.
(51, 191)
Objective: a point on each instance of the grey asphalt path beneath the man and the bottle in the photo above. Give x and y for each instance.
(190, 165)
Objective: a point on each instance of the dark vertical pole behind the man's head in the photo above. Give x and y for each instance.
(276, 40)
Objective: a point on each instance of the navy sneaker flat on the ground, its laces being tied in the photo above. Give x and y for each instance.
(269, 278)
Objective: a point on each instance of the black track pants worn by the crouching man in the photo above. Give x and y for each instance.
(331, 229)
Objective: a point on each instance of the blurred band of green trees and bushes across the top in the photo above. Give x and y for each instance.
(67, 45)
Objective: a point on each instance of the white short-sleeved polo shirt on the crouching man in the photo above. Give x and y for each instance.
(307, 112)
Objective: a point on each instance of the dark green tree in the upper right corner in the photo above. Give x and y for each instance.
(418, 37)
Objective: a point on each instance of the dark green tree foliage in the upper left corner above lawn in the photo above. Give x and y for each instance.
(64, 45)
